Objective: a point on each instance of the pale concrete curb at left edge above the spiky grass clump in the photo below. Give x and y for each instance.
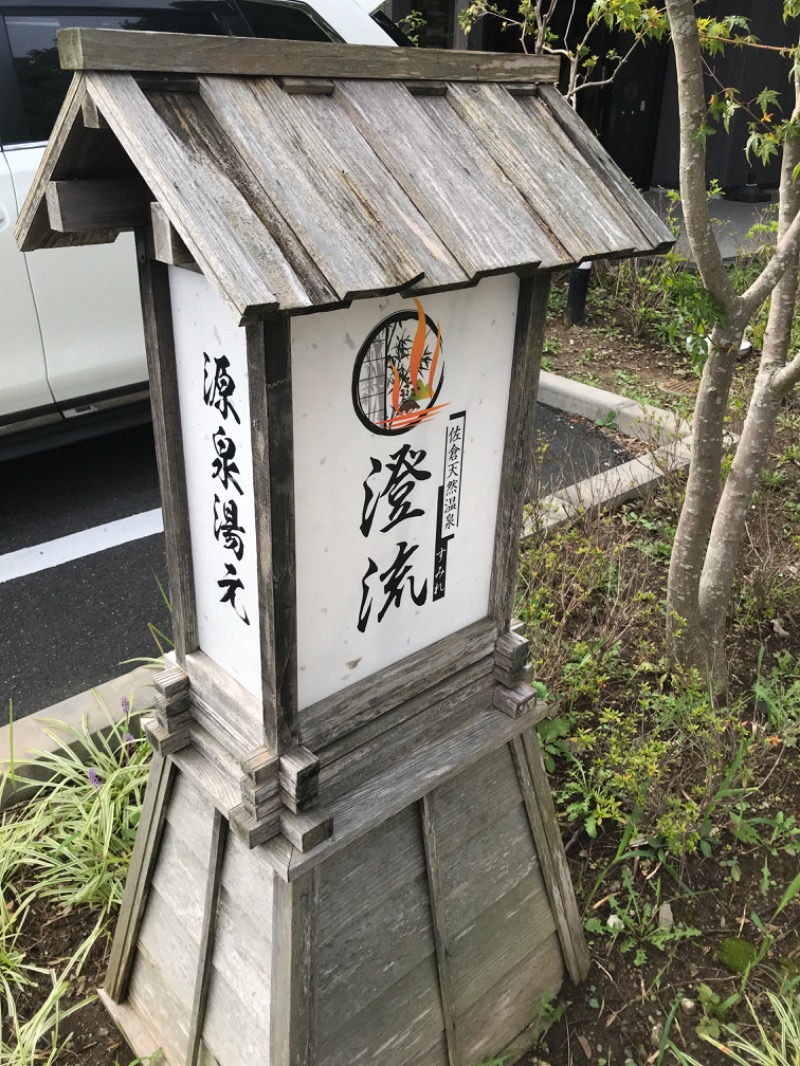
(25, 741)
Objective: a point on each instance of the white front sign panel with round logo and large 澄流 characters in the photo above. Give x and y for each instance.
(401, 409)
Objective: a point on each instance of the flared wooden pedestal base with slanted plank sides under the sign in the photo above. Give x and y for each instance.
(425, 932)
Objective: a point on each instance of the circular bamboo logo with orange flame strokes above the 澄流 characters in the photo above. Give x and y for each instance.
(399, 373)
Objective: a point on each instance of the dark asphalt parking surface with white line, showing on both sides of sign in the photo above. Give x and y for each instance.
(83, 567)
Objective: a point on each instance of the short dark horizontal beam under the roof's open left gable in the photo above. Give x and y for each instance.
(78, 207)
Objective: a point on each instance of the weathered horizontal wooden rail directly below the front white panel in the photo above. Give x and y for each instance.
(337, 716)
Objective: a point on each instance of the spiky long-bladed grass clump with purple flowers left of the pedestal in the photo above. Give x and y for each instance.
(70, 845)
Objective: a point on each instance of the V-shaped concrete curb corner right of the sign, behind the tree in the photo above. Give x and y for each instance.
(669, 434)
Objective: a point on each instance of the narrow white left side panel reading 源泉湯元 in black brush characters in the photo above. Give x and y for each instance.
(215, 410)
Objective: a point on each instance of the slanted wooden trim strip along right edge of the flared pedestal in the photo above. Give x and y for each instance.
(548, 836)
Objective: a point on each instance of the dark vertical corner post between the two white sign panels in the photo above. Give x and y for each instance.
(269, 375)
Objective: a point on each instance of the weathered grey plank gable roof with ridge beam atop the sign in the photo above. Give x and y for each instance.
(305, 175)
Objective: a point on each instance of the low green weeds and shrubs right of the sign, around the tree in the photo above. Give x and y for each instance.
(652, 773)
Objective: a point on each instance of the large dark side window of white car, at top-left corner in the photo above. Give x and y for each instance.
(42, 85)
